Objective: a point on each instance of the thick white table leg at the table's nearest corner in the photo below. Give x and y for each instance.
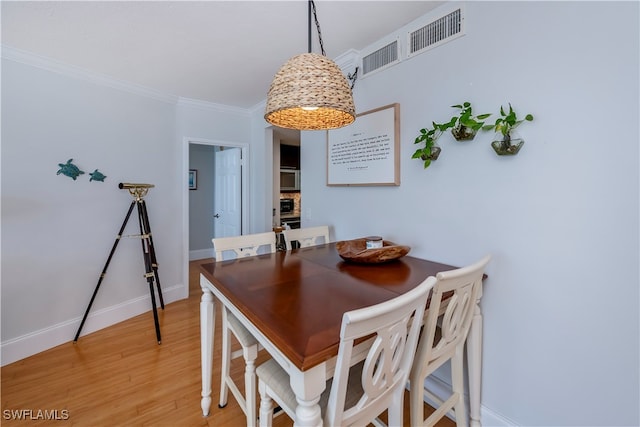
(308, 386)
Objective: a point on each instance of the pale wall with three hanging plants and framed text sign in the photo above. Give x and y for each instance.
(560, 218)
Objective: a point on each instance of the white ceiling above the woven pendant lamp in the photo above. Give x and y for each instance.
(225, 52)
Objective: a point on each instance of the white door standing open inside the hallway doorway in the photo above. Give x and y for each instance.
(227, 201)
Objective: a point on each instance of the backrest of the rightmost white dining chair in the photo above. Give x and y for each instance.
(437, 345)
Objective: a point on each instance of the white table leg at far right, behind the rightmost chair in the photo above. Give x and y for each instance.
(474, 358)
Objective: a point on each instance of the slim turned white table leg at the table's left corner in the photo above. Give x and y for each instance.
(207, 324)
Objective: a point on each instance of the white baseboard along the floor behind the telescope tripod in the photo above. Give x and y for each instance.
(35, 342)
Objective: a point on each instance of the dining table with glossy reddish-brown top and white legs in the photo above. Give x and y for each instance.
(293, 301)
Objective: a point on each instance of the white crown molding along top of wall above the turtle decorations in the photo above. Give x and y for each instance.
(45, 63)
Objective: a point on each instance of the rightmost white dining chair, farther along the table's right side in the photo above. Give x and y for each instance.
(446, 326)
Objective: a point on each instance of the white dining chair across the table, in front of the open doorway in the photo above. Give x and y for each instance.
(228, 248)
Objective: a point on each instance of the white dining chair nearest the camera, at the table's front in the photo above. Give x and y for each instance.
(365, 383)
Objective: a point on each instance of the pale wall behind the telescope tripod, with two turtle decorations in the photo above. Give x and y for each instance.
(56, 232)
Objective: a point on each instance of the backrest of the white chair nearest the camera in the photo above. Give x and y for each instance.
(388, 360)
